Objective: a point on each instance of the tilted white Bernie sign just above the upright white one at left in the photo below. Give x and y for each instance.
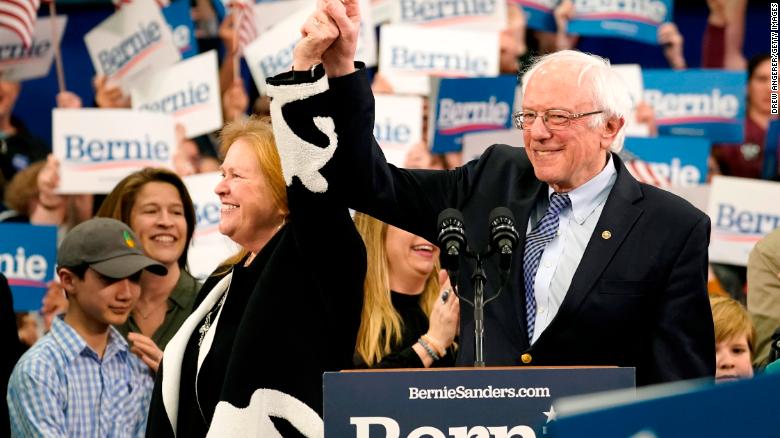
(189, 91)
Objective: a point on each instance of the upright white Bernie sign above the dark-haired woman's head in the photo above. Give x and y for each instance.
(98, 147)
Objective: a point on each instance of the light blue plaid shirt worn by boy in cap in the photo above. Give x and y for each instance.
(61, 388)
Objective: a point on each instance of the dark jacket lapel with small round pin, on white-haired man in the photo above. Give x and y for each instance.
(617, 218)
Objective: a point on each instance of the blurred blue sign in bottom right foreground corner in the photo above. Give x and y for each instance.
(746, 408)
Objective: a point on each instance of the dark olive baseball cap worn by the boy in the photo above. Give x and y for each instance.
(108, 246)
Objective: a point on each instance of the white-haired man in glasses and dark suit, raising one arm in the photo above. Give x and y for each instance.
(608, 271)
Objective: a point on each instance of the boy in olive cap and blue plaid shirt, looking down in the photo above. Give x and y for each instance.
(81, 379)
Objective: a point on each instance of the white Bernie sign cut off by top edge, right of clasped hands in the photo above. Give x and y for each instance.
(479, 15)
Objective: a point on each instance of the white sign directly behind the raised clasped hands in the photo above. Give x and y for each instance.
(271, 53)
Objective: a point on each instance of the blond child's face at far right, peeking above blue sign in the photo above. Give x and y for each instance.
(734, 337)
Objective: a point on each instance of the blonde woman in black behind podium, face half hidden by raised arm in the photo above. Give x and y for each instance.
(408, 321)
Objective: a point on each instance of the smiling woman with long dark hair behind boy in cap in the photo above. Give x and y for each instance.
(156, 205)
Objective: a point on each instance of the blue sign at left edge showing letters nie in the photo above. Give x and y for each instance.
(28, 254)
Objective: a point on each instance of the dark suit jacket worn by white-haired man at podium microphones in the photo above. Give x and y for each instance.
(638, 297)
